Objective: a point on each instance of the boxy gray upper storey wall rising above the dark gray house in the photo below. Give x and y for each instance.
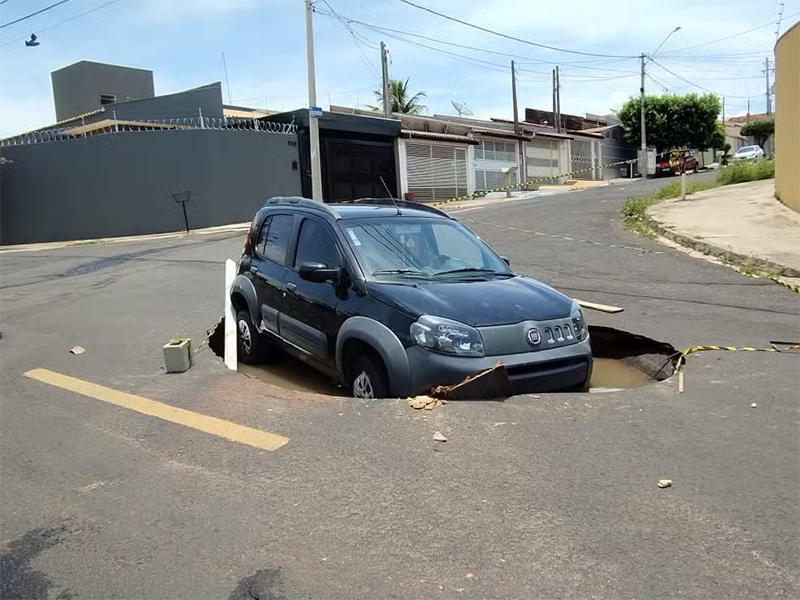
(77, 87)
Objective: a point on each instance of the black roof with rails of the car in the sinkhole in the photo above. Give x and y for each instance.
(359, 209)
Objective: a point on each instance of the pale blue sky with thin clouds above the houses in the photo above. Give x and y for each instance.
(182, 41)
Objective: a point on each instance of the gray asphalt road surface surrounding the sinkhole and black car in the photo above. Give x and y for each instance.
(533, 497)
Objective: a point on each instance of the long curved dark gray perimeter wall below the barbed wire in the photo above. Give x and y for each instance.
(122, 184)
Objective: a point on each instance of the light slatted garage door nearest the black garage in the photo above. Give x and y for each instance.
(436, 171)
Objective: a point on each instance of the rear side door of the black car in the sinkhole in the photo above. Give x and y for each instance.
(268, 268)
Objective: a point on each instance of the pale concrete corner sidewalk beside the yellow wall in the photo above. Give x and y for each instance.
(742, 219)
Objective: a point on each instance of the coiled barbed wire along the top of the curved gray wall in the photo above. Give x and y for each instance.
(118, 126)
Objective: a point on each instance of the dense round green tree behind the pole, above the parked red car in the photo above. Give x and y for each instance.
(673, 121)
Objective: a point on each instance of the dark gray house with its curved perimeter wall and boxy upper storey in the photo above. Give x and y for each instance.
(121, 156)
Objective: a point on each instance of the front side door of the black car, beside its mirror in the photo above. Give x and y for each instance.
(309, 314)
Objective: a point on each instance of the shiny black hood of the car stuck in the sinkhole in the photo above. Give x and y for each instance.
(476, 303)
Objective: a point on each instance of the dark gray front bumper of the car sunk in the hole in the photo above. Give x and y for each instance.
(530, 372)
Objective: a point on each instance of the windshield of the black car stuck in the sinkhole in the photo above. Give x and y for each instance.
(409, 247)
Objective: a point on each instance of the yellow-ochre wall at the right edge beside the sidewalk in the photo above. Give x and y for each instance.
(787, 118)
